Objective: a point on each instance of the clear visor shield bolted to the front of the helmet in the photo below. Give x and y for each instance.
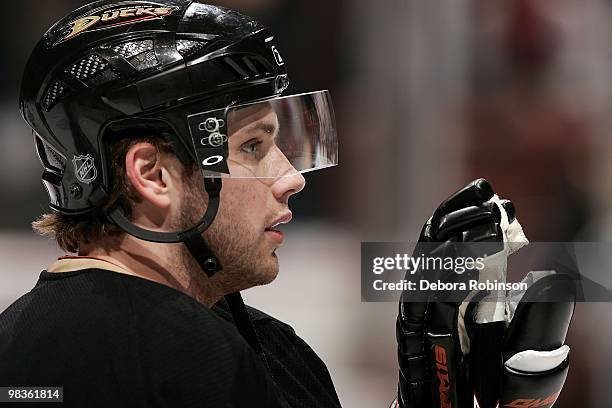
(267, 139)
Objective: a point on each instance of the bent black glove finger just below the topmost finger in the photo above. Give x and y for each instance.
(453, 224)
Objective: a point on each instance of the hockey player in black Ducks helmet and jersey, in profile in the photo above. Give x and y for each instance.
(169, 158)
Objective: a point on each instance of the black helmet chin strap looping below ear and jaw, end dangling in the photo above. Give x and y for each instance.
(199, 249)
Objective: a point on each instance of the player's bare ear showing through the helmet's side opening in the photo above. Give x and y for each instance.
(150, 174)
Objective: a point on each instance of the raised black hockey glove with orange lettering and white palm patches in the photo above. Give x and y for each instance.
(449, 355)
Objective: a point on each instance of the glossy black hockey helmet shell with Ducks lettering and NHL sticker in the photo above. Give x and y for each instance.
(120, 63)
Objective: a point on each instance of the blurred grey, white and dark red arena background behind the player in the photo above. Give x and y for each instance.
(428, 96)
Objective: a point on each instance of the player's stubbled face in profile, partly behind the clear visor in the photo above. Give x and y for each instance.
(244, 234)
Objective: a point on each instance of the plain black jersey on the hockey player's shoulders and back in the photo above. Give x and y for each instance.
(115, 340)
